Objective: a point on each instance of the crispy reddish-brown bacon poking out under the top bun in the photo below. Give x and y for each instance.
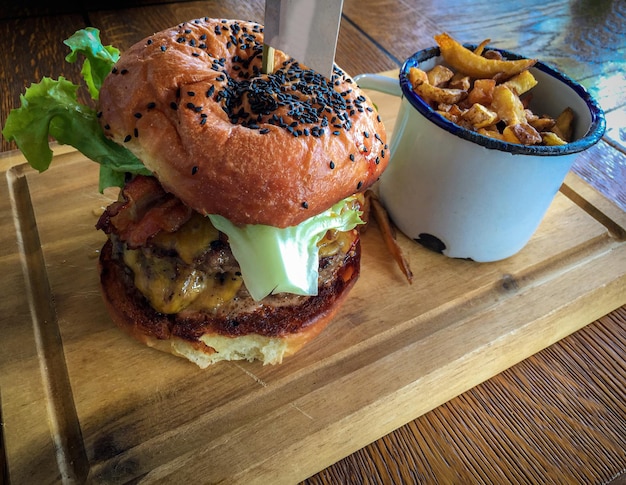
(144, 209)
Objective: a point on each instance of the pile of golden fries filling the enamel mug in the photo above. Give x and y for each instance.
(483, 92)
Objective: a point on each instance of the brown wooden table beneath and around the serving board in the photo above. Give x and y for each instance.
(559, 416)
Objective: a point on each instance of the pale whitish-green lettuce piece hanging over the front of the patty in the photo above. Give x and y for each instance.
(276, 260)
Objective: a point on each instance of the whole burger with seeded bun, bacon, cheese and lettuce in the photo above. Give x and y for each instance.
(236, 231)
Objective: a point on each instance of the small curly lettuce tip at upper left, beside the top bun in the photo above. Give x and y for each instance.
(99, 59)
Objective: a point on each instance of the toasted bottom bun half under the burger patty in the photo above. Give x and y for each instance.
(266, 331)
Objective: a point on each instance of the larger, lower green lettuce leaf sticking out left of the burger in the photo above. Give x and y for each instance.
(51, 108)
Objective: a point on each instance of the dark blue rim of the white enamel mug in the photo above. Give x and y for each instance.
(594, 133)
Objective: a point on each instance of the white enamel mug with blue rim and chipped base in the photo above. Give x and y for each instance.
(467, 195)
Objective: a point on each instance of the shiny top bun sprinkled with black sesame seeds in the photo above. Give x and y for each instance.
(226, 139)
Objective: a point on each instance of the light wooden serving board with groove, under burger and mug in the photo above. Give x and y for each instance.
(83, 402)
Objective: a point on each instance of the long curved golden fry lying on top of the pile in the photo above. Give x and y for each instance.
(466, 61)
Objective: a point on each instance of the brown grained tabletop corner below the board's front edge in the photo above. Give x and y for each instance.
(557, 417)
